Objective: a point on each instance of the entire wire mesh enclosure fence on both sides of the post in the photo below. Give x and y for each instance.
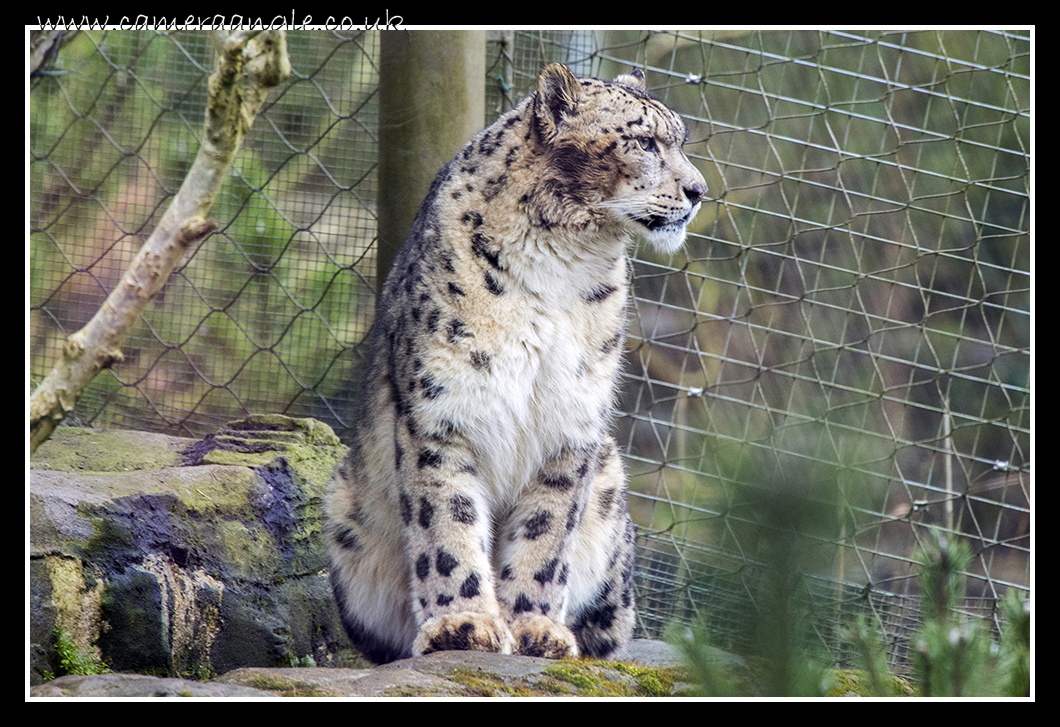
(846, 336)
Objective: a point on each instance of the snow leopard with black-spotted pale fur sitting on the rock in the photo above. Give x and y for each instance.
(484, 503)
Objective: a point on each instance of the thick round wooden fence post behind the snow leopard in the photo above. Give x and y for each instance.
(432, 101)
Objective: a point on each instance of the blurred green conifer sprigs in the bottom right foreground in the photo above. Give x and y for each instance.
(952, 655)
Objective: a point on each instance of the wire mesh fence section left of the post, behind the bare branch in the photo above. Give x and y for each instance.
(263, 316)
